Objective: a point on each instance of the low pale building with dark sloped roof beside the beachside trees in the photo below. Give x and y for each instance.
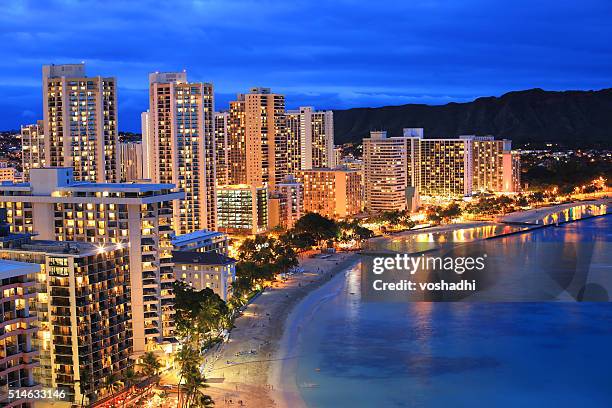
(201, 270)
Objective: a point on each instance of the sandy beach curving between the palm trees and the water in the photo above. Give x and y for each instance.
(239, 370)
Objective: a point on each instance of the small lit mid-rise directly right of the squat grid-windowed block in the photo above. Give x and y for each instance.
(286, 204)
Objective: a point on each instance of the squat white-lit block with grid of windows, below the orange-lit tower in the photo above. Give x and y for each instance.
(243, 209)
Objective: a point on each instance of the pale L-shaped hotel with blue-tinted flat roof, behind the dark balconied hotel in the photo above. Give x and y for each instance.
(58, 208)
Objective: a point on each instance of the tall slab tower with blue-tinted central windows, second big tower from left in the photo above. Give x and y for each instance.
(181, 128)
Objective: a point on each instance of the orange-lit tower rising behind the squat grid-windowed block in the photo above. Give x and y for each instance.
(258, 139)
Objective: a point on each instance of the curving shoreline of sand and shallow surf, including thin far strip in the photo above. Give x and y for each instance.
(270, 324)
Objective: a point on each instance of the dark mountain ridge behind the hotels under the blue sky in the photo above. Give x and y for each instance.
(572, 118)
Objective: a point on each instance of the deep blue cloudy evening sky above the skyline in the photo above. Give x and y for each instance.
(331, 54)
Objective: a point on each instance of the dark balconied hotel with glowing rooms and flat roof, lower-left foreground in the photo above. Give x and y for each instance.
(83, 314)
